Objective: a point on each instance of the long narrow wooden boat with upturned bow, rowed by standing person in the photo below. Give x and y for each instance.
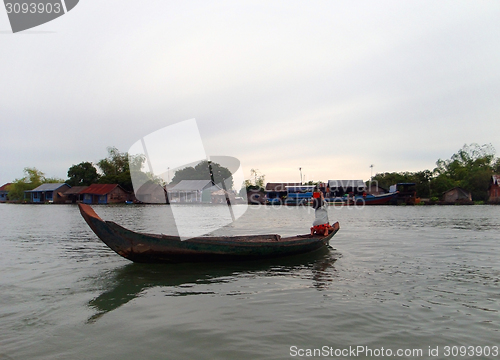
(153, 248)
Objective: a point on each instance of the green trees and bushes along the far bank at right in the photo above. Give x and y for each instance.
(470, 168)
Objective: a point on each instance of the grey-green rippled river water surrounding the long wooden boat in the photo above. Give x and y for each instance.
(424, 280)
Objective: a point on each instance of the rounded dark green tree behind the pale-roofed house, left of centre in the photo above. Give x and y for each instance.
(202, 172)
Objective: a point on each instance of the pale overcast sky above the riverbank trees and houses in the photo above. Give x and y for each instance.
(328, 86)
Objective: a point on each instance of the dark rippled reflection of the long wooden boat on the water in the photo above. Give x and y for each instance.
(128, 282)
